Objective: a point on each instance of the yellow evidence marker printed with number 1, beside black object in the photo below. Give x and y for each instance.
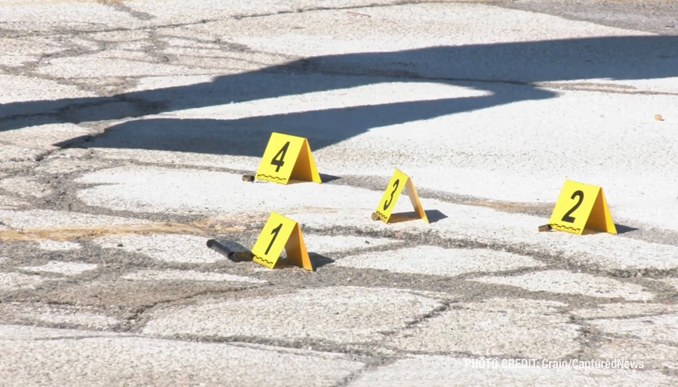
(280, 232)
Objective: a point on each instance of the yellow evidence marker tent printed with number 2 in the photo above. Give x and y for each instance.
(581, 206)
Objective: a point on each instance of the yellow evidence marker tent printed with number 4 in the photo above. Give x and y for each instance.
(287, 157)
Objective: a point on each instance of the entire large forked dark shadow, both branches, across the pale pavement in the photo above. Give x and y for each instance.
(506, 72)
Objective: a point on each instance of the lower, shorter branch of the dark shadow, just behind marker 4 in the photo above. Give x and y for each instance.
(249, 136)
